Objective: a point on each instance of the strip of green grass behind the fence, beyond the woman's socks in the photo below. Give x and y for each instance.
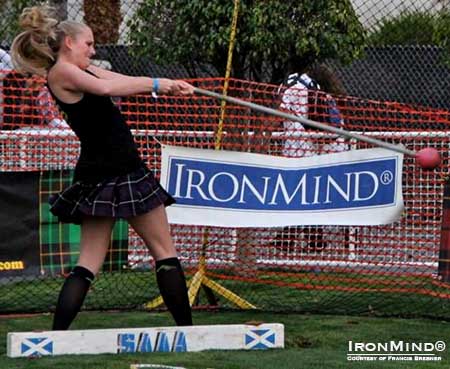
(301, 292)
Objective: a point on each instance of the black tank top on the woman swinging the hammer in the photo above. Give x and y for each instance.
(107, 145)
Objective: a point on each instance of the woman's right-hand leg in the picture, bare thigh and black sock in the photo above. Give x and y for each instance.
(154, 229)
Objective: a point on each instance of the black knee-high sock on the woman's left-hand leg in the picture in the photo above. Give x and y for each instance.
(71, 297)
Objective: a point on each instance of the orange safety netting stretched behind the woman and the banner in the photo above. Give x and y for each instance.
(357, 265)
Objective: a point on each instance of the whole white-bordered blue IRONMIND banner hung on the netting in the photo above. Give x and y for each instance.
(235, 189)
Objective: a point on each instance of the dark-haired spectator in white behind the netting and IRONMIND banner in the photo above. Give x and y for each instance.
(308, 94)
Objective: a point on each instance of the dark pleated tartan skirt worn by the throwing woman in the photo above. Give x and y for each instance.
(119, 197)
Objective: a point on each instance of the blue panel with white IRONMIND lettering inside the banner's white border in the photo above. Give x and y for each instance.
(329, 187)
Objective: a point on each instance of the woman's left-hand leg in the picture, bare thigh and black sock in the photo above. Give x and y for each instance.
(95, 241)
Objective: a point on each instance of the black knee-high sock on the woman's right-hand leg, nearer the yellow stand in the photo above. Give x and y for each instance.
(172, 285)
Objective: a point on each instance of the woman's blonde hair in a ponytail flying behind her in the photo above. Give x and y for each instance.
(34, 50)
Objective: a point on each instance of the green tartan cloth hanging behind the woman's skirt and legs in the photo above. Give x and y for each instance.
(59, 242)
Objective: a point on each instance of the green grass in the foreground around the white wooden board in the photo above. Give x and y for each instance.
(312, 341)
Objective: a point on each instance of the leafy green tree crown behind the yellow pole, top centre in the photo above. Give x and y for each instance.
(273, 37)
